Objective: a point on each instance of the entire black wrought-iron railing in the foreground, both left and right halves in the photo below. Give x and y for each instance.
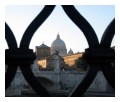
(24, 57)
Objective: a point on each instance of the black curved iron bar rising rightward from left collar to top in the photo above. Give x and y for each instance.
(42, 16)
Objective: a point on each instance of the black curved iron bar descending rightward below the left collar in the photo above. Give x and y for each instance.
(33, 82)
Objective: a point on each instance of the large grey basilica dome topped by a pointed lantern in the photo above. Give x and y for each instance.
(59, 46)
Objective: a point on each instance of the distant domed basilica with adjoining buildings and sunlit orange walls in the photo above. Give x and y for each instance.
(46, 55)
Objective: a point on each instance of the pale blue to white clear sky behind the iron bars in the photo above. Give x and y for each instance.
(19, 17)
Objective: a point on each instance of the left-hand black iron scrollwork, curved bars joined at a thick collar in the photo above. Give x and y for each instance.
(24, 56)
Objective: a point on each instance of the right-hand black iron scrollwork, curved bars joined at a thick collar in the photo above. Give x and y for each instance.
(94, 47)
